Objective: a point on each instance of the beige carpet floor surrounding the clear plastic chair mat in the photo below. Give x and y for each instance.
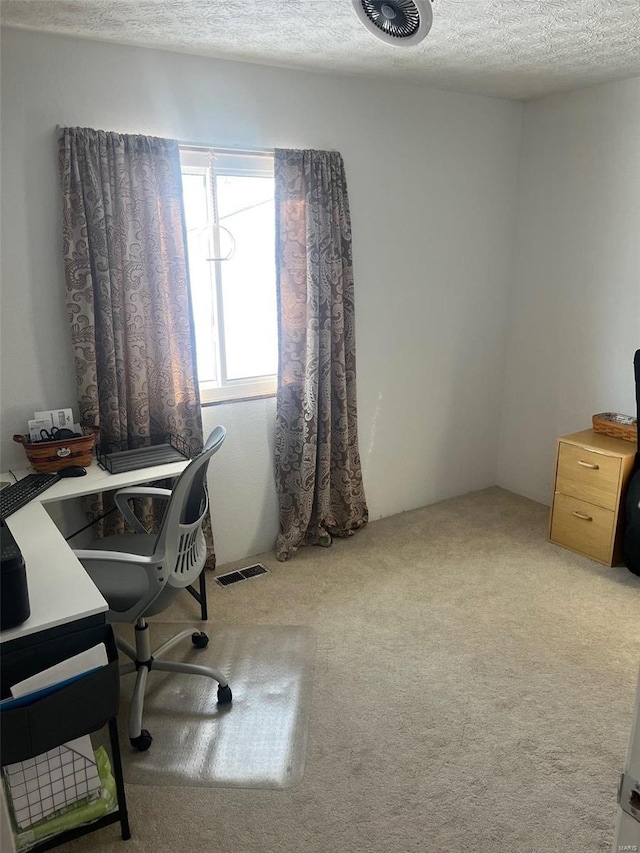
(473, 691)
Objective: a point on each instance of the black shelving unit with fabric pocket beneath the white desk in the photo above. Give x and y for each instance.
(78, 709)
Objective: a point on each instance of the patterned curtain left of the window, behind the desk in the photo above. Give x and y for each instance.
(127, 287)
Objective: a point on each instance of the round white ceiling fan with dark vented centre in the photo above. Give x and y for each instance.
(399, 22)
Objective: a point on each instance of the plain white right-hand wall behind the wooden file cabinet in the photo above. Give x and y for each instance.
(574, 319)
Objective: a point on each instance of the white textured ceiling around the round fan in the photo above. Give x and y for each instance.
(508, 48)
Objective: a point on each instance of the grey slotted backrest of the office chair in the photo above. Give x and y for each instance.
(181, 538)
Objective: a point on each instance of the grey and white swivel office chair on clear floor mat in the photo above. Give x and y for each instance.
(142, 573)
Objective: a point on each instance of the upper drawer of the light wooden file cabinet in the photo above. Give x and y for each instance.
(592, 477)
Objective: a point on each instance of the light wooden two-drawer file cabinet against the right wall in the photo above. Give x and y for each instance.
(592, 472)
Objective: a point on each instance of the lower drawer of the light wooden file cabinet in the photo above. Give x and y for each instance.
(583, 527)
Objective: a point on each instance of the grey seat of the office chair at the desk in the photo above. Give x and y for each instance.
(121, 585)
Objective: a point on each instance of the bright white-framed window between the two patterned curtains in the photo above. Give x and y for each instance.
(230, 222)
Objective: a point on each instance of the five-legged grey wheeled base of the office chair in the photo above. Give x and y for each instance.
(143, 660)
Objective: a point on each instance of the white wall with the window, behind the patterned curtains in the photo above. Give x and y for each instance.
(432, 181)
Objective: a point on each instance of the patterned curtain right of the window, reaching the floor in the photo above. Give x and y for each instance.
(318, 472)
